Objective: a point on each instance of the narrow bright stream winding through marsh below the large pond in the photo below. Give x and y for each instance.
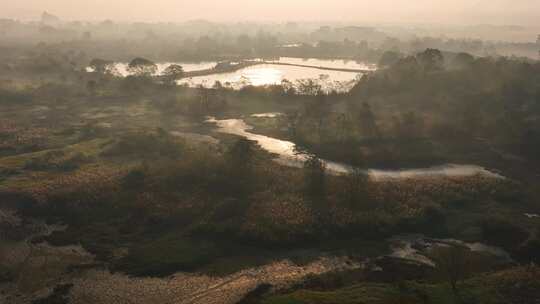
(288, 155)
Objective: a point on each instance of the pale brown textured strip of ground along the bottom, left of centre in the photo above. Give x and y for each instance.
(103, 287)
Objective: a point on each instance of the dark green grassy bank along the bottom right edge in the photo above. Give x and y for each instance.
(516, 285)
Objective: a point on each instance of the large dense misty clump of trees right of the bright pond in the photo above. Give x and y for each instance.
(399, 114)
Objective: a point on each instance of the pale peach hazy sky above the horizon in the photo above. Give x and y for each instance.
(437, 11)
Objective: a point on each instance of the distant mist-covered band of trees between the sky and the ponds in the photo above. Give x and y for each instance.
(199, 41)
